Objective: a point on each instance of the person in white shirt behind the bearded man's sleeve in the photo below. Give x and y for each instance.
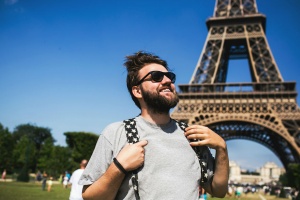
(76, 189)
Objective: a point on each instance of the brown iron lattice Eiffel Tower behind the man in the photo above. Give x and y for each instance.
(264, 110)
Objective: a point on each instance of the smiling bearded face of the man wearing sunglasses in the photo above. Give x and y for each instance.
(160, 96)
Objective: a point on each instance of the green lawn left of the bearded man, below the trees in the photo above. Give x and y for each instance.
(31, 191)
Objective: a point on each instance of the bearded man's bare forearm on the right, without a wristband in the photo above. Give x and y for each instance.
(219, 185)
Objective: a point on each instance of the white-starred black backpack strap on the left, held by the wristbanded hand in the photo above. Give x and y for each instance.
(133, 137)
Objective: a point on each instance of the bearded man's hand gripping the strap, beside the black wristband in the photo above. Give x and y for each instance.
(132, 156)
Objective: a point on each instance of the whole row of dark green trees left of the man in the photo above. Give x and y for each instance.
(30, 149)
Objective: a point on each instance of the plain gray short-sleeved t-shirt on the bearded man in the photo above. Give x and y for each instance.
(171, 169)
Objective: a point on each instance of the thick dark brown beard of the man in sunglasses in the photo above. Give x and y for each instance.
(159, 104)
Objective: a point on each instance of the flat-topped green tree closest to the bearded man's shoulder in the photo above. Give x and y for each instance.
(82, 144)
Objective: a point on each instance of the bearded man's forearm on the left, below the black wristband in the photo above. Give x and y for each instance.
(106, 187)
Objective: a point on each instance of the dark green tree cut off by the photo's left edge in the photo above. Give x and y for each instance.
(6, 147)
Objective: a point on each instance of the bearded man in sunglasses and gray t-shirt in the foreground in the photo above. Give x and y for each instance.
(167, 166)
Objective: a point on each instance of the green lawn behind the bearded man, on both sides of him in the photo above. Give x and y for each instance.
(33, 191)
